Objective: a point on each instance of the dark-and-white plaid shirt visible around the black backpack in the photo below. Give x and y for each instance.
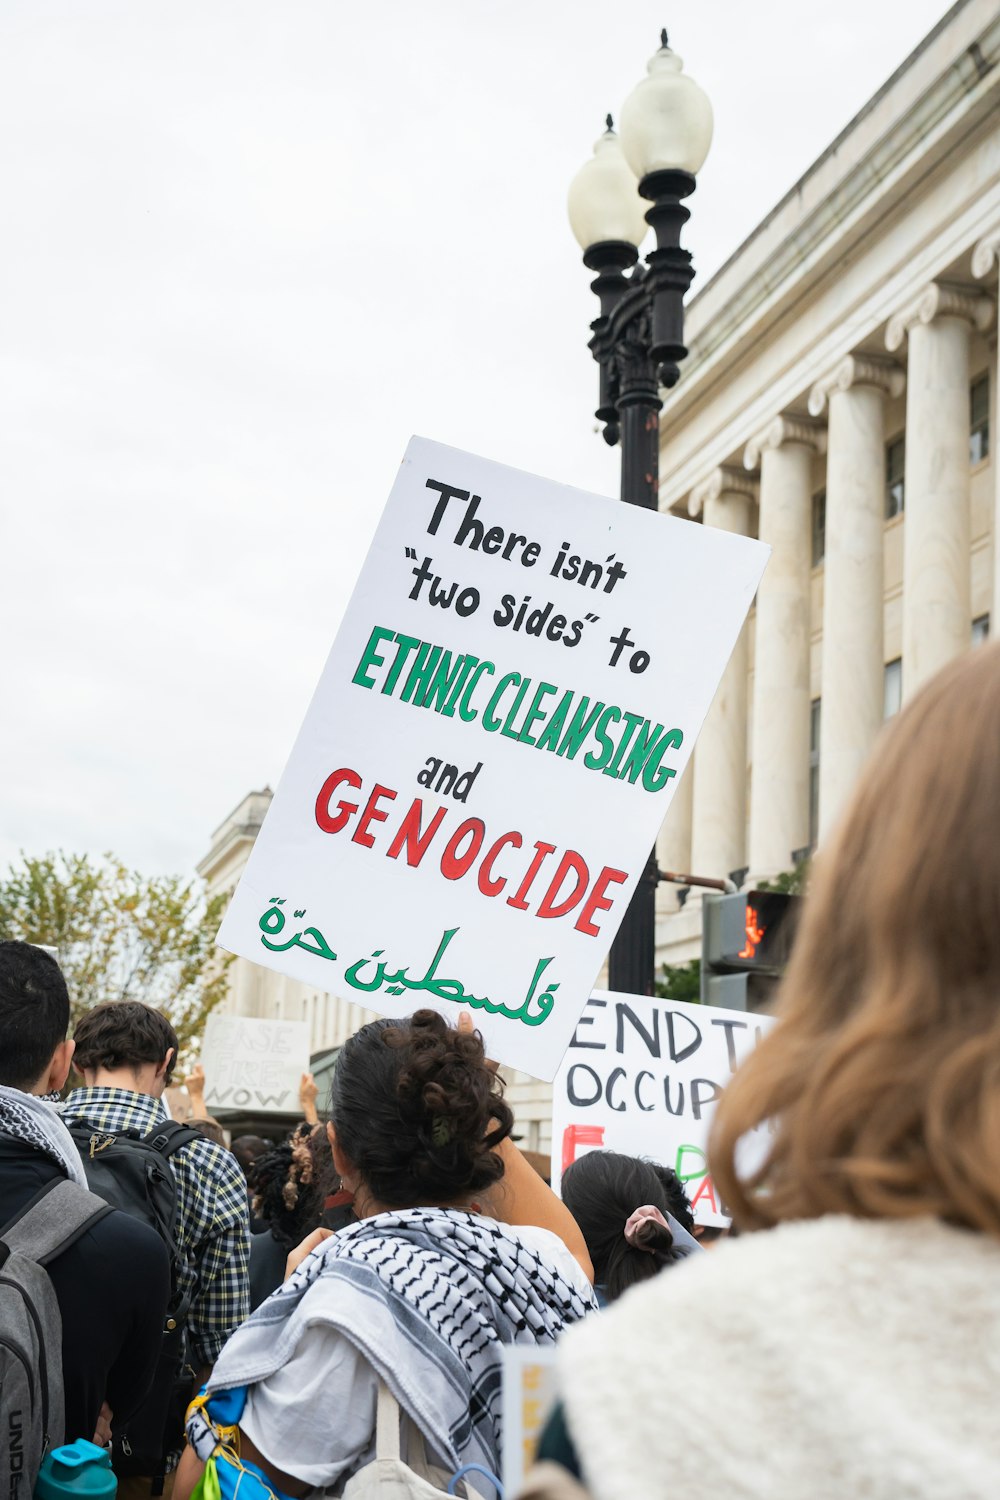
(214, 1232)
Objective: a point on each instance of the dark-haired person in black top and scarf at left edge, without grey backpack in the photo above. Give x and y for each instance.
(112, 1283)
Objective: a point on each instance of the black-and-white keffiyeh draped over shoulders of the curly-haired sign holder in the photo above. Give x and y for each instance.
(430, 1297)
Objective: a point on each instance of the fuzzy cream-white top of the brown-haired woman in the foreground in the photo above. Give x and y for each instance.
(822, 1361)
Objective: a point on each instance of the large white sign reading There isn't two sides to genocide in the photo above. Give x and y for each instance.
(513, 694)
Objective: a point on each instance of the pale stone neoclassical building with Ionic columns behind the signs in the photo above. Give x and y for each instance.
(840, 401)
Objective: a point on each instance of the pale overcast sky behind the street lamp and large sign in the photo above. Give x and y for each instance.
(247, 251)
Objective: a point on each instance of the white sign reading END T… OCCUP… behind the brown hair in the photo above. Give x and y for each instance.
(642, 1078)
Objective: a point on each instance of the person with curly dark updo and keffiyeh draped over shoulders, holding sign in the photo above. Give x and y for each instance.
(460, 1249)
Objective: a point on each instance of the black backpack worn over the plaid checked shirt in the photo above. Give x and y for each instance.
(133, 1172)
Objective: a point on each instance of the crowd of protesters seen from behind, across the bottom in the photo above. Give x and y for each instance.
(840, 1342)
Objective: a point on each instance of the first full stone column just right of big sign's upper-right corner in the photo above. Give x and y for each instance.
(780, 752)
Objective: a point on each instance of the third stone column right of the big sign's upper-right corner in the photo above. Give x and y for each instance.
(936, 532)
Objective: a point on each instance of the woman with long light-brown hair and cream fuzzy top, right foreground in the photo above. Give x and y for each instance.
(855, 1348)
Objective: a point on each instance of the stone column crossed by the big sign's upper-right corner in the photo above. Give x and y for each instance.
(719, 818)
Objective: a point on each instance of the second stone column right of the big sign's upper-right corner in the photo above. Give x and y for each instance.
(852, 685)
